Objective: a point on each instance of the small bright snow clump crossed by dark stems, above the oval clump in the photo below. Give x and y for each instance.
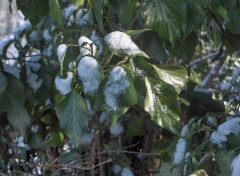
(87, 47)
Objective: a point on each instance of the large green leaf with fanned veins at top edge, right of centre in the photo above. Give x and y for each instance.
(166, 17)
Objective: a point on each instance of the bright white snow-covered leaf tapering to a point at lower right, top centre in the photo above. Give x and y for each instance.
(121, 44)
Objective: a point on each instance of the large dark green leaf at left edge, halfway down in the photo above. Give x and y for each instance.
(14, 96)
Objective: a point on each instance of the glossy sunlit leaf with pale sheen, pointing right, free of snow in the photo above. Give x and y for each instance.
(177, 76)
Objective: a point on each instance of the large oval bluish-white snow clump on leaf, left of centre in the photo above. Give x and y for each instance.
(89, 73)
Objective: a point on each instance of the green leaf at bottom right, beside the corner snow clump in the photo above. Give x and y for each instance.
(224, 160)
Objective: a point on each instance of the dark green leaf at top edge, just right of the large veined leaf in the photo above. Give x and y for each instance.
(195, 15)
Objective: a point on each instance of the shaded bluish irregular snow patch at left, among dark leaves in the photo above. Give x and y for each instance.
(32, 78)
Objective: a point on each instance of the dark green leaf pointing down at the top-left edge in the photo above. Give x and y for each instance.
(34, 10)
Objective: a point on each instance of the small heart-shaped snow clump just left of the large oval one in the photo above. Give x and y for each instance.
(64, 85)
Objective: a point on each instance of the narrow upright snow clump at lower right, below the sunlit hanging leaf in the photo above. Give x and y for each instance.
(180, 151)
